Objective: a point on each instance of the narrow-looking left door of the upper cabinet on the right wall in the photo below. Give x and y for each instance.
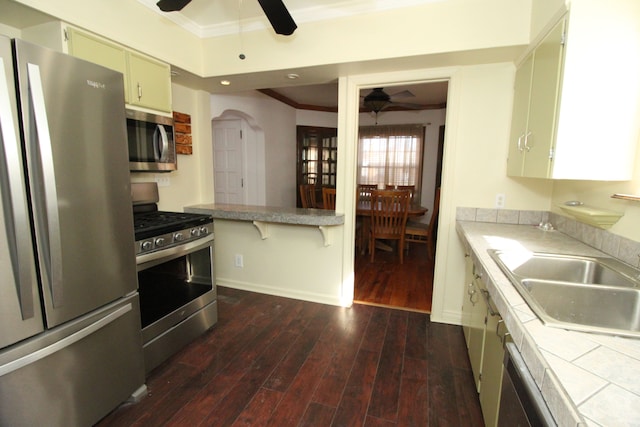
(522, 88)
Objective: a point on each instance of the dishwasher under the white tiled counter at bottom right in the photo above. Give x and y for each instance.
(521, 403)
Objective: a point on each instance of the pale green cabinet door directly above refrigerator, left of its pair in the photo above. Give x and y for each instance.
(98, 51)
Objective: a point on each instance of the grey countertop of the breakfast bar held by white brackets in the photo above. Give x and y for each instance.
(279, 215)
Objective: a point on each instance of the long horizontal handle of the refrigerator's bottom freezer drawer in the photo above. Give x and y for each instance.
(33, 357)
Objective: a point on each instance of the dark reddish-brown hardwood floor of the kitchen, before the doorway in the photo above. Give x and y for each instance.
(274, 361)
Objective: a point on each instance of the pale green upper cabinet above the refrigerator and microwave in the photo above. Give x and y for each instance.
(147, 80)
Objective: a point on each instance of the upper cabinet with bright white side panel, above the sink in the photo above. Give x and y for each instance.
(577, 94)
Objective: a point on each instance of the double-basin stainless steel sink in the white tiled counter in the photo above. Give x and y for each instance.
(590, 294)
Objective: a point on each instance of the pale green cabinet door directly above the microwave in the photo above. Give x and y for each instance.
(149, 82)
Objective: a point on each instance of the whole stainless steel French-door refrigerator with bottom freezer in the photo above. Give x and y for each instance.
(70, 341)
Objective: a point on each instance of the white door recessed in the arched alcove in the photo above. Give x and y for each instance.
(228, 161)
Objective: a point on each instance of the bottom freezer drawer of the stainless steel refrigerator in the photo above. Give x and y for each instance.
(75, 374)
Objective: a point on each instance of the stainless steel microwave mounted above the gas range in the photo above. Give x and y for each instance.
(151, 142)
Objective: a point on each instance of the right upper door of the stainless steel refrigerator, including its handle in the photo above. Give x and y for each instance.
(77, 166)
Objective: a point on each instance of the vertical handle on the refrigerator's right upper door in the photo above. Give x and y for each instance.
(53, 255)
